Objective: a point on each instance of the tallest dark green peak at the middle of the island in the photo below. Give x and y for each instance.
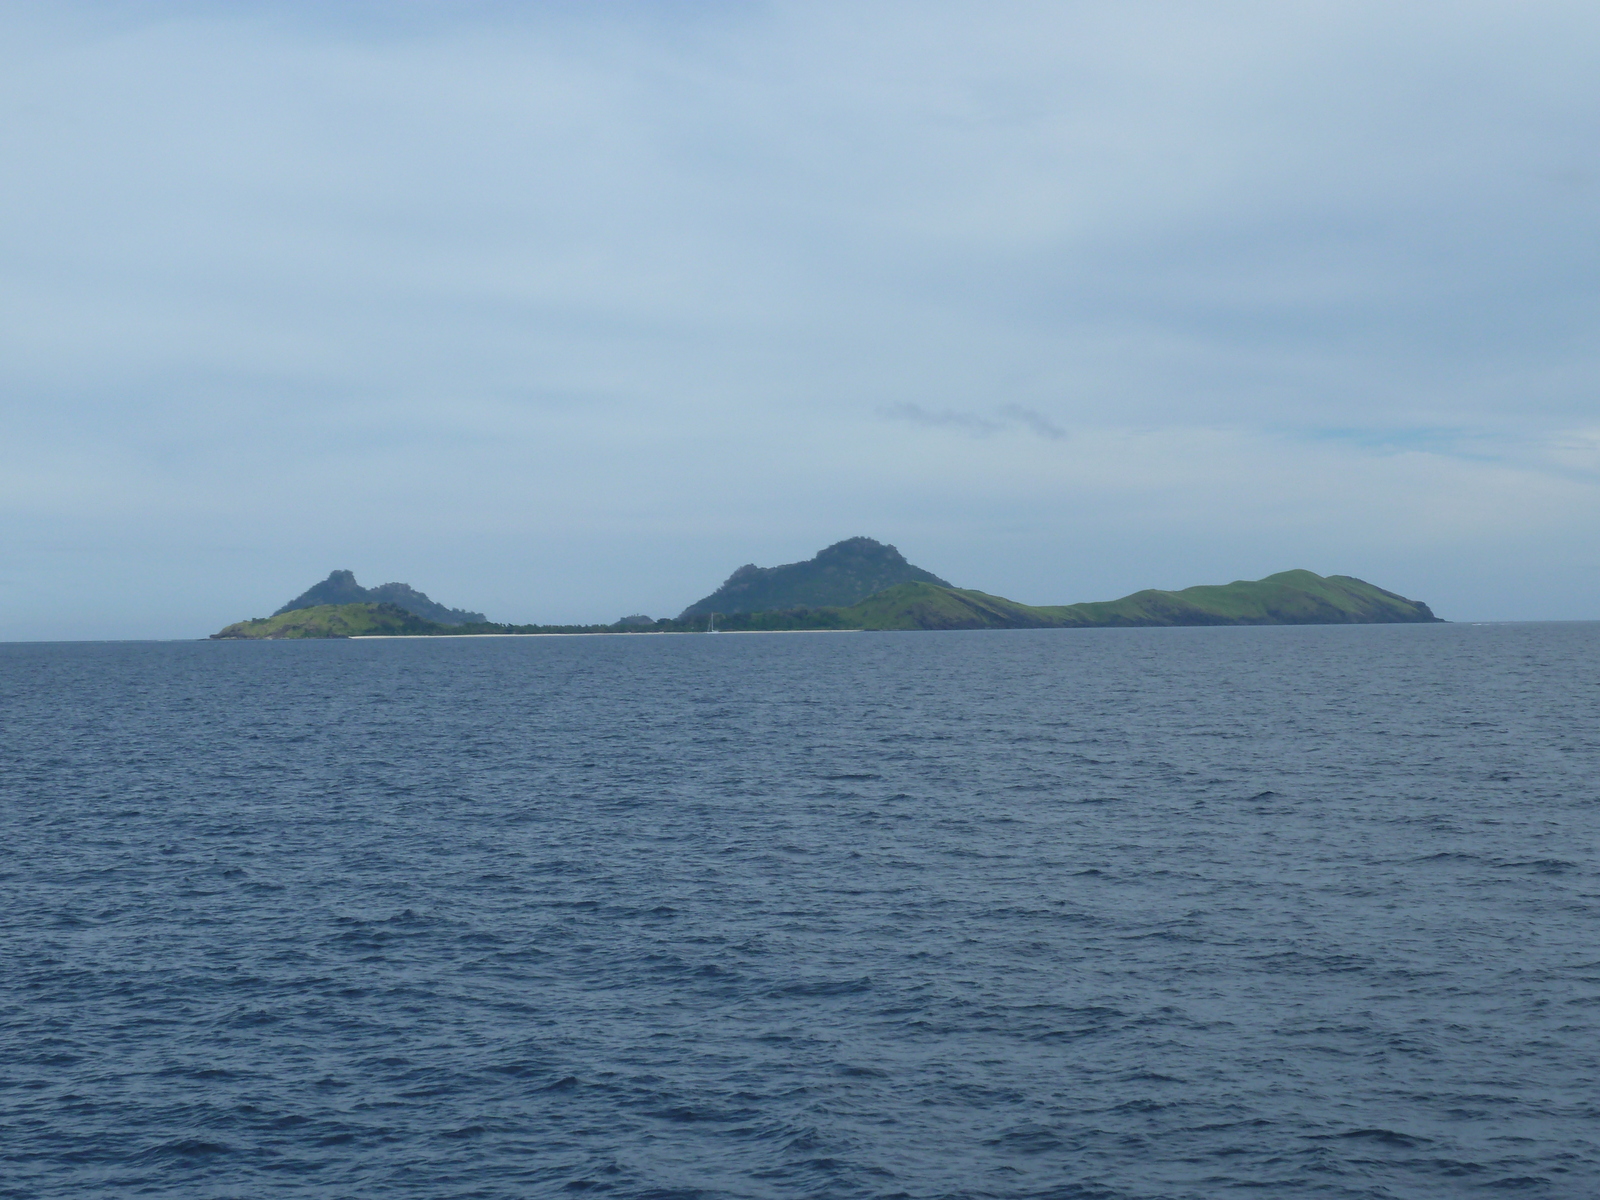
(842, 575)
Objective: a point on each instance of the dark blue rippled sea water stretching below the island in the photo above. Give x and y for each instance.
(1177, 913)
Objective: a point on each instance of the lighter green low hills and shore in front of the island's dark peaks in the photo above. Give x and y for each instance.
(1286, 599)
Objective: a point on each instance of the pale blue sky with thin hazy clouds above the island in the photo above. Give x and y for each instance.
(564, 311)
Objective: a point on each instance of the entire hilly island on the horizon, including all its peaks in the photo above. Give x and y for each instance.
(857, 585)
